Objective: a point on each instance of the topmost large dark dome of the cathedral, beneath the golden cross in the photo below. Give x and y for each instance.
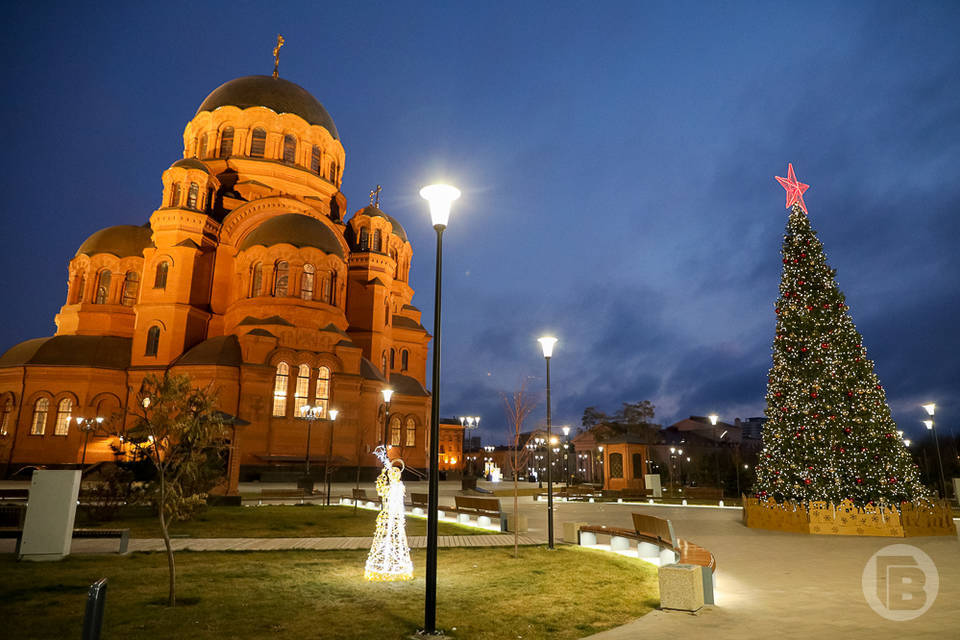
(277, 94)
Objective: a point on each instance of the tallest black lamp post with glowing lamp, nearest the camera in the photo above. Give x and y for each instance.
(440, 197)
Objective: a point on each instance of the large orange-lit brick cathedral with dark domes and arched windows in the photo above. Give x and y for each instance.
(249, 278)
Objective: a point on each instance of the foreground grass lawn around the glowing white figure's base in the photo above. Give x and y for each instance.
(483, 594)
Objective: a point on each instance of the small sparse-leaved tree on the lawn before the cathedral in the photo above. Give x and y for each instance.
(180, 432)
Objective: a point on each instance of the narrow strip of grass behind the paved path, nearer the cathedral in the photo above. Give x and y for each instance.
(313, 521)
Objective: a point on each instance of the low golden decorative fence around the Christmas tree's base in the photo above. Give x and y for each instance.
(822, 518)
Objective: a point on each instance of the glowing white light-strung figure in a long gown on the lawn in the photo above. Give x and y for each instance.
(389, 557)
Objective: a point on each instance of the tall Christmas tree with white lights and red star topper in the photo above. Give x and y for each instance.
(829, 434)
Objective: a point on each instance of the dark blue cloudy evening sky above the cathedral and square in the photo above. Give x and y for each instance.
(616, 162)
